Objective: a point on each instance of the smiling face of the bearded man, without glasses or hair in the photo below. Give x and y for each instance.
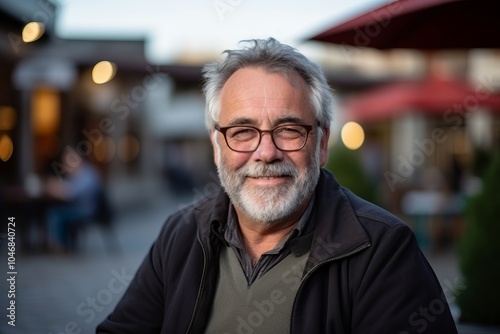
(268, 185)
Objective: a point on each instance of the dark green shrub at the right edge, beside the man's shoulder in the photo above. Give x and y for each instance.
(479, 252)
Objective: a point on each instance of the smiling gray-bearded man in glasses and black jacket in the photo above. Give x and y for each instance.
(283, 248)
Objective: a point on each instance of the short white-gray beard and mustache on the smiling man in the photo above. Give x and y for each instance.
(265, 204)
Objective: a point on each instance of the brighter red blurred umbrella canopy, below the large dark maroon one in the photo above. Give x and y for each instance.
(432, 96)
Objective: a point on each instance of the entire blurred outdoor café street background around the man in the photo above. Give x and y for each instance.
(102, 135)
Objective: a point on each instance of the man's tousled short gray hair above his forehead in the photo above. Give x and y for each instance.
(273, 57)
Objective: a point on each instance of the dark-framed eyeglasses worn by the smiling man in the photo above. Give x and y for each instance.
(288, 138)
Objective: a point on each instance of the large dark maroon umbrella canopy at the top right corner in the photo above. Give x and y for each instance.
(422, 24)
